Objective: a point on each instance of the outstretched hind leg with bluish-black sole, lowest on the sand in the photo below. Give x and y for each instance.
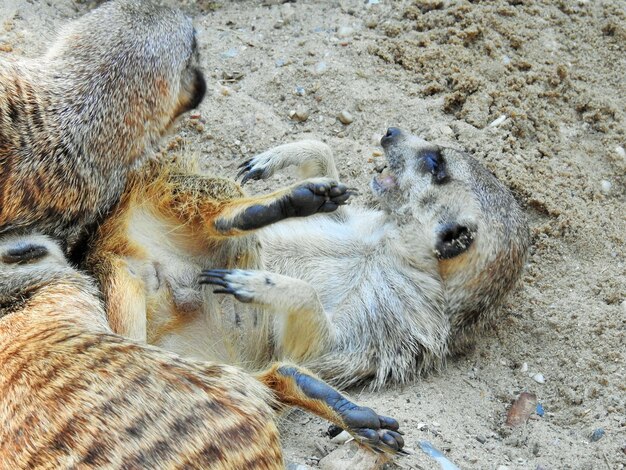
(294, 386)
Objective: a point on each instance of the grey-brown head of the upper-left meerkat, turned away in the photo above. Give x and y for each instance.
(125, 71)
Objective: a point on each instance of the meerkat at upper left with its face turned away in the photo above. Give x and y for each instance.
(76, 121)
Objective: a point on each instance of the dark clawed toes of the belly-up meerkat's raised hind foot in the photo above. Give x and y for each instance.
(318, 195)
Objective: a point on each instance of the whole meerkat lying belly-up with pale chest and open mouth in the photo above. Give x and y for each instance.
(359, 295)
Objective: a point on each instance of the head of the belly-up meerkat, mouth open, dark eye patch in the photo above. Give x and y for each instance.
(475, 228)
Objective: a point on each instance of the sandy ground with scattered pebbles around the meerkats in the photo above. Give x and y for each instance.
(448, 69)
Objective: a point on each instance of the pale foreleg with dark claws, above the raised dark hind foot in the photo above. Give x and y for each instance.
(311, 157)
